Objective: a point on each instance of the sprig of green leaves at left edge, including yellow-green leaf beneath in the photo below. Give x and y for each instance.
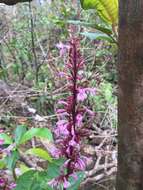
(21, 136)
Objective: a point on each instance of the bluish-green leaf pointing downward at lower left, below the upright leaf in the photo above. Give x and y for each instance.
(12, 159)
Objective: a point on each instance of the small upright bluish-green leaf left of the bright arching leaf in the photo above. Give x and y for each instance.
(19, 132)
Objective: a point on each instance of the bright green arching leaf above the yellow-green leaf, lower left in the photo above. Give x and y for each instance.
(36, 132)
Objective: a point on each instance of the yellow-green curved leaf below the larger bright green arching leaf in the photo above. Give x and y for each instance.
(40, 153)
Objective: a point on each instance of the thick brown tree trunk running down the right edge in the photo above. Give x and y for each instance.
(130, 113)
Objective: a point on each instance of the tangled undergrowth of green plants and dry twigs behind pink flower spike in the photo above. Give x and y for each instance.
(30, 86)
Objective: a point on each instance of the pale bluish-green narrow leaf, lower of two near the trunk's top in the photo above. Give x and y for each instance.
(97, 36)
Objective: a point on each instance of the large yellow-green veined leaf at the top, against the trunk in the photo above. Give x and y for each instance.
(107, 9)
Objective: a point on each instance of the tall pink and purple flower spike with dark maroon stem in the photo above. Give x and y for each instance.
(70, 130)
